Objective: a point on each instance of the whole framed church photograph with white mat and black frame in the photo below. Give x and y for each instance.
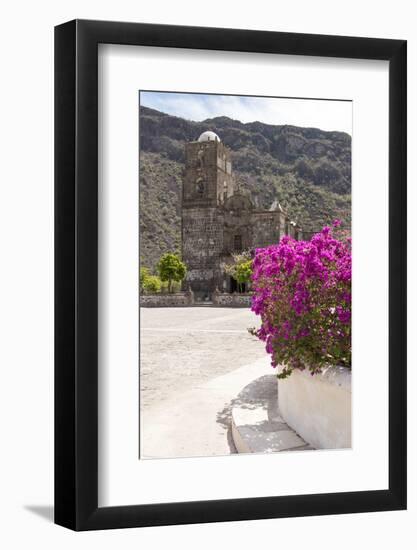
(230, 284)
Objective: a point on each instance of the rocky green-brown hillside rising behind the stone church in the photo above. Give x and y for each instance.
(306, 169)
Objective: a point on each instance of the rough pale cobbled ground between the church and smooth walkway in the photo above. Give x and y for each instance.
(181, 348)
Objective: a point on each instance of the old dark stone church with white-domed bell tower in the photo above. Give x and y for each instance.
(218, 219)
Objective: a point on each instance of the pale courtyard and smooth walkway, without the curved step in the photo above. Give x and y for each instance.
(192, 361)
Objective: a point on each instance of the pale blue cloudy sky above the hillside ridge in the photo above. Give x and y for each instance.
(312, 113)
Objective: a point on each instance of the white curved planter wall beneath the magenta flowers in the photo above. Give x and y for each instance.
(318, 407)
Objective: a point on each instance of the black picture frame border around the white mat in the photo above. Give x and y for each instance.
(76, 272)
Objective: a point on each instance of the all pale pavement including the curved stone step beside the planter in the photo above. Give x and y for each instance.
(200, 368)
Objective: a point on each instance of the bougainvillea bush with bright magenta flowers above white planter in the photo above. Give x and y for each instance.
(302, 292)
